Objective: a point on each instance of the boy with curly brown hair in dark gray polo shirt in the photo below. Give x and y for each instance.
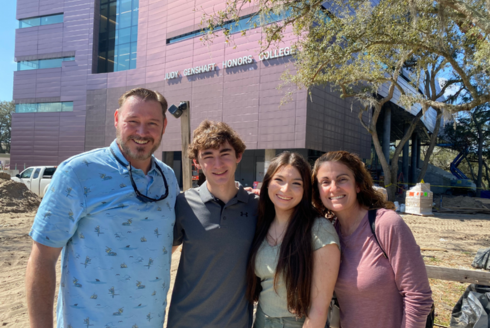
(216, 225)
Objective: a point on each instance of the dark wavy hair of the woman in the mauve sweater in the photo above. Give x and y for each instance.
(366, 197)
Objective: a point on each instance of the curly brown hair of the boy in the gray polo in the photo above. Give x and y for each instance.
(211, 135)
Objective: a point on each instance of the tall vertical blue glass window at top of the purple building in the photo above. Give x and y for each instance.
(118, 35)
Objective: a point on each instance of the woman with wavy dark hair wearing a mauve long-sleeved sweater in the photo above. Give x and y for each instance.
(372, 290)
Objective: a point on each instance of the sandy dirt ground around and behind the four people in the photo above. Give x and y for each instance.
(460, 236)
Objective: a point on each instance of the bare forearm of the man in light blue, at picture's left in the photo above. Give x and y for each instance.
(41, 284)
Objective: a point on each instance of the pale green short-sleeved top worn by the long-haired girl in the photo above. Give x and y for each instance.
(274, 302)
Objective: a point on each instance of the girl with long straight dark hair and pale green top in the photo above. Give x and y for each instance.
(295, 254)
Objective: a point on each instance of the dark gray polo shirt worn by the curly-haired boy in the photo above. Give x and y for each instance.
(211, 280)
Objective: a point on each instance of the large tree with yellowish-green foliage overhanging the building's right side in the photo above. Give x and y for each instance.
(362, 49)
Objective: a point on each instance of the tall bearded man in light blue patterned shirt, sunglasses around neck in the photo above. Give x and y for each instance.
(110, 213)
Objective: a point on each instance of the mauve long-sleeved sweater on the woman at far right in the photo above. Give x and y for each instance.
(376, 292)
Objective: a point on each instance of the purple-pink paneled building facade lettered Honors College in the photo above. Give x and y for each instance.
(77, 57)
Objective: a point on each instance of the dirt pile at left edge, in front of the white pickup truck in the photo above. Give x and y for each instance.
(16, 198)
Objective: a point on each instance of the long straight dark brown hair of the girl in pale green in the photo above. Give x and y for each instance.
(295, 261)
